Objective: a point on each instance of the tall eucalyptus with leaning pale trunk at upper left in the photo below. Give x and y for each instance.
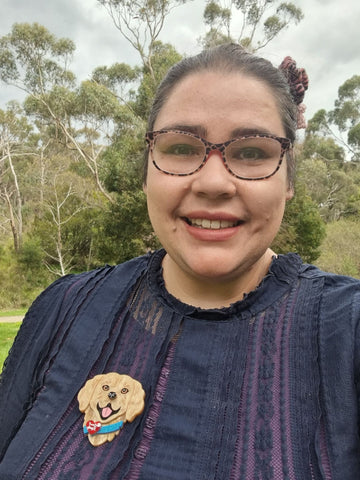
(35, 61)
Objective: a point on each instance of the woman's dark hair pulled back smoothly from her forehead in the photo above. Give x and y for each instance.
(231, 58)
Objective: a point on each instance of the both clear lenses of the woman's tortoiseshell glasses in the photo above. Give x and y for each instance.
(251, 157)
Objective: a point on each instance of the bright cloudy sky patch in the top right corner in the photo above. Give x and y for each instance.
(326, 43)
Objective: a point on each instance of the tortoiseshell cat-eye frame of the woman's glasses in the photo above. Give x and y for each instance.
(285, 144)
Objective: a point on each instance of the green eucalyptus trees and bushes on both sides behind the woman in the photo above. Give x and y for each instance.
(78, 149)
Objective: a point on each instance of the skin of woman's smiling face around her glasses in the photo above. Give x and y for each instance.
(217, 107)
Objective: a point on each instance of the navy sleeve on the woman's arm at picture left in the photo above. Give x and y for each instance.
(21, 376)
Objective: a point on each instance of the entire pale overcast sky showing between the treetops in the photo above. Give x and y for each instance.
(326, 42)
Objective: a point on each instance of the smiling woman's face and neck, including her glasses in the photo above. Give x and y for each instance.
(236, 256)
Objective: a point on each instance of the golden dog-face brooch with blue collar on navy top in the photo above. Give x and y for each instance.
(108, 401)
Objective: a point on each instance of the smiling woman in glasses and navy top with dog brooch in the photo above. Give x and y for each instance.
(249, 361)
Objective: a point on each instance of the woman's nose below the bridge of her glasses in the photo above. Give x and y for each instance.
(213, 179)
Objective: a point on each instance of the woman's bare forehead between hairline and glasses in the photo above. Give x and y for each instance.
(233, 100)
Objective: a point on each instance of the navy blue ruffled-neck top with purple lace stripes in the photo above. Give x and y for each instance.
(266, 389)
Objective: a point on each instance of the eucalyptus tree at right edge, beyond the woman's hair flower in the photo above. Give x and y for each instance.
(332, 155)
